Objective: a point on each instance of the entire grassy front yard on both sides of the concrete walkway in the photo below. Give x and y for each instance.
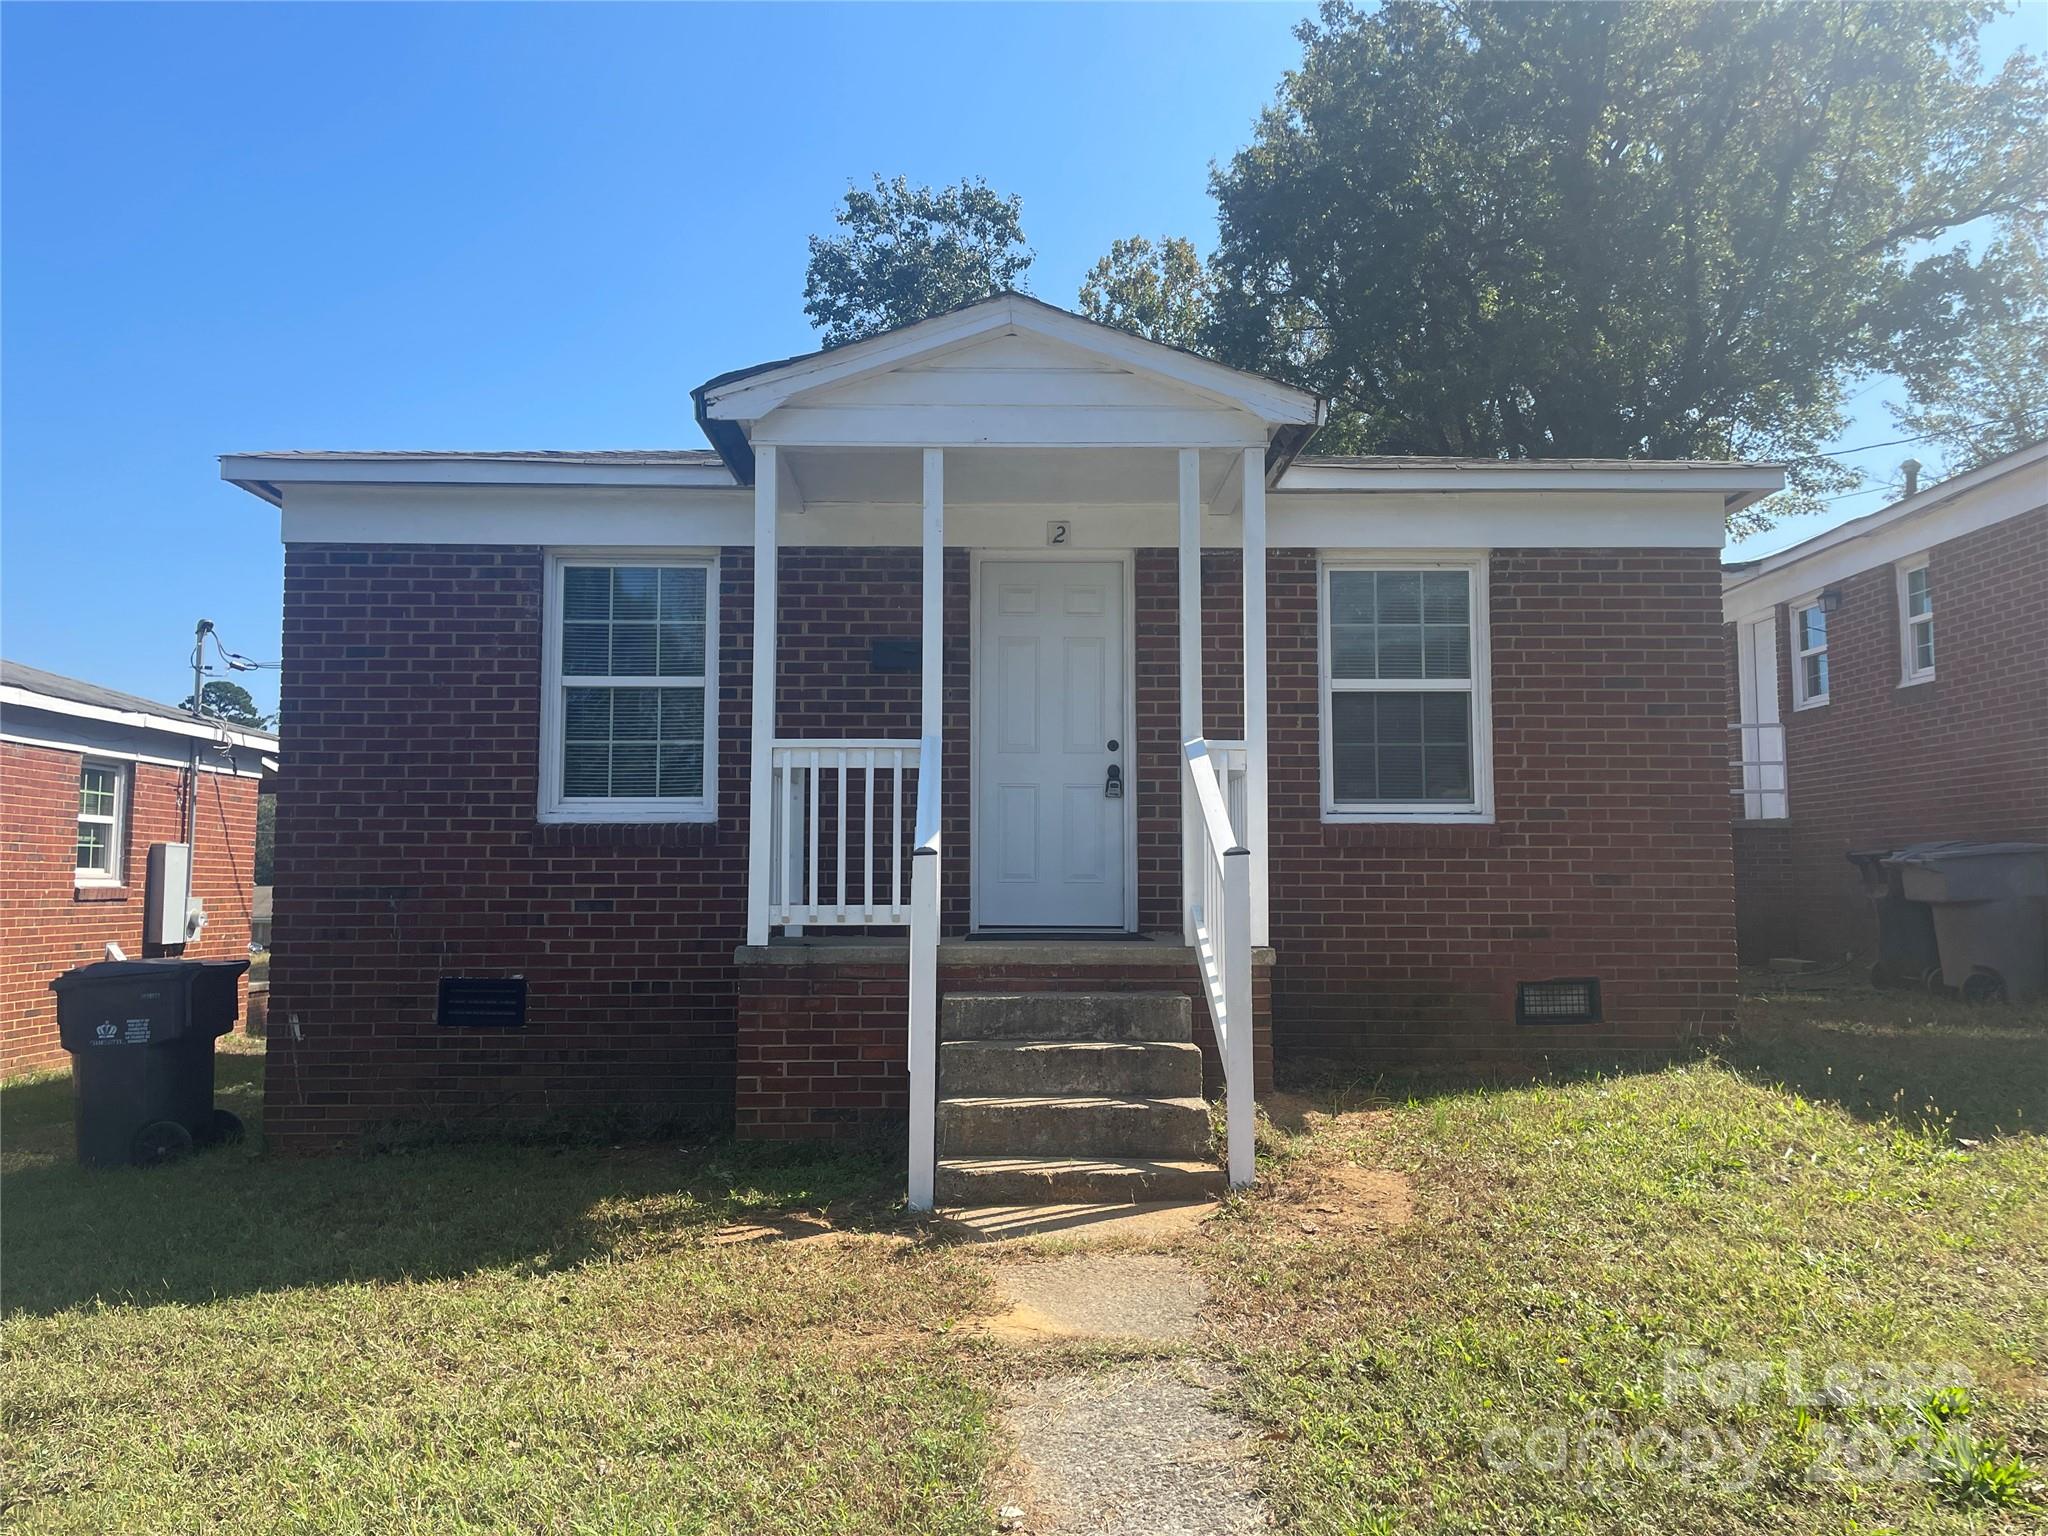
(1447, 1310)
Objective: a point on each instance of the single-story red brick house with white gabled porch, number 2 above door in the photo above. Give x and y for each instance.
(923, 753)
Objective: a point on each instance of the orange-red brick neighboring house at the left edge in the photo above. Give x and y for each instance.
(89, 781)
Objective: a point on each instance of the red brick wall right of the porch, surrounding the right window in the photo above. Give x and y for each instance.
(1609, 855)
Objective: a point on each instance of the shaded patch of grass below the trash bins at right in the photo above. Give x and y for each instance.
(1902, 1056)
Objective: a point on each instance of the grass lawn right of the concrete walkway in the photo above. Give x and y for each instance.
(1854, 1183)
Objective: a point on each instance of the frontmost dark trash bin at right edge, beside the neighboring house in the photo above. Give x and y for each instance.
(1990, 904)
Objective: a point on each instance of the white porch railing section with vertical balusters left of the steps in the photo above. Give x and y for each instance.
(839, 843)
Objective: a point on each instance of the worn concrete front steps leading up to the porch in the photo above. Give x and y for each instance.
(1062, 1097)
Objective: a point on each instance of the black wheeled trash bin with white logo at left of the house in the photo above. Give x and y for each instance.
(142, 1056)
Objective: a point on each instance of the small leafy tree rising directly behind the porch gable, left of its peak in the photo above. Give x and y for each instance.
(910, 253)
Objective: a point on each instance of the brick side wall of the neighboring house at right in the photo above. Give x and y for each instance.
(1959, 757)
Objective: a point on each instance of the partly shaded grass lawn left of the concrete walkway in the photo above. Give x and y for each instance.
(474, 1340)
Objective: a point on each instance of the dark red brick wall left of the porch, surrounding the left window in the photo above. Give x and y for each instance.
(409, 849)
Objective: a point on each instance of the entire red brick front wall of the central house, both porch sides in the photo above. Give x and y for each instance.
(409, 845)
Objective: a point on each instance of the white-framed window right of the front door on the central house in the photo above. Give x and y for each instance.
(1406, 716)
